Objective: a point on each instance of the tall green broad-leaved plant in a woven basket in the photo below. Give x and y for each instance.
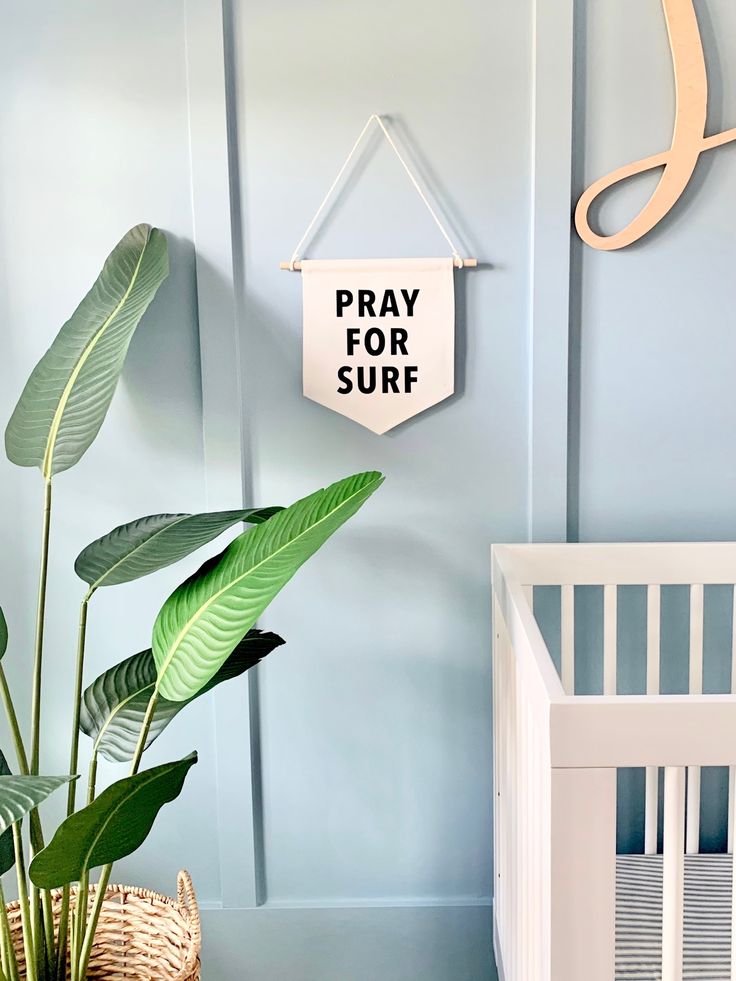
(63, 924)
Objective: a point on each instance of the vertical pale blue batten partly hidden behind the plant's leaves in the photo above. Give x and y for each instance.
(239, 838)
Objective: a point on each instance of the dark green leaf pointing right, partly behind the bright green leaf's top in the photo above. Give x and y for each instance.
(148, 544)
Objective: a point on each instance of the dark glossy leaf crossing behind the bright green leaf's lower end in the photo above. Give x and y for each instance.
(114, 705)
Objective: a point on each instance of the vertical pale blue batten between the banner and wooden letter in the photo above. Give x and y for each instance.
(552, 110)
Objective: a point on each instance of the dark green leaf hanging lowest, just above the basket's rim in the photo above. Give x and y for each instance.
(111, 827)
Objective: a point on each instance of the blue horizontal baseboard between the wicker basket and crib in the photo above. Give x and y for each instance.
(446, 943)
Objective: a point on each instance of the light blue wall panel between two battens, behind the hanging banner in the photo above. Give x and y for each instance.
(375, 719)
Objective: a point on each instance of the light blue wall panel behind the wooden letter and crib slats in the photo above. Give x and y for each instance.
(654, 346)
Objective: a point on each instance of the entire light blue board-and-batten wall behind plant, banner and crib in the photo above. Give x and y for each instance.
(371, 794)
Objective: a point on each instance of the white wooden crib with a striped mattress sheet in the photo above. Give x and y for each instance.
(559, 914)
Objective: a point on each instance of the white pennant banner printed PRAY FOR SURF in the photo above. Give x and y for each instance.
(379, 337)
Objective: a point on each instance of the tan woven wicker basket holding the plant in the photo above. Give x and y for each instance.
(140, 935)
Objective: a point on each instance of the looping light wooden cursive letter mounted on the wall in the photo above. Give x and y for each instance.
(688, 138)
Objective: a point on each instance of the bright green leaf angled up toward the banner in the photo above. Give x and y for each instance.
(202, 621)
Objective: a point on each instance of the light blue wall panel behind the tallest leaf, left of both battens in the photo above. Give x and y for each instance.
(95, 137)
